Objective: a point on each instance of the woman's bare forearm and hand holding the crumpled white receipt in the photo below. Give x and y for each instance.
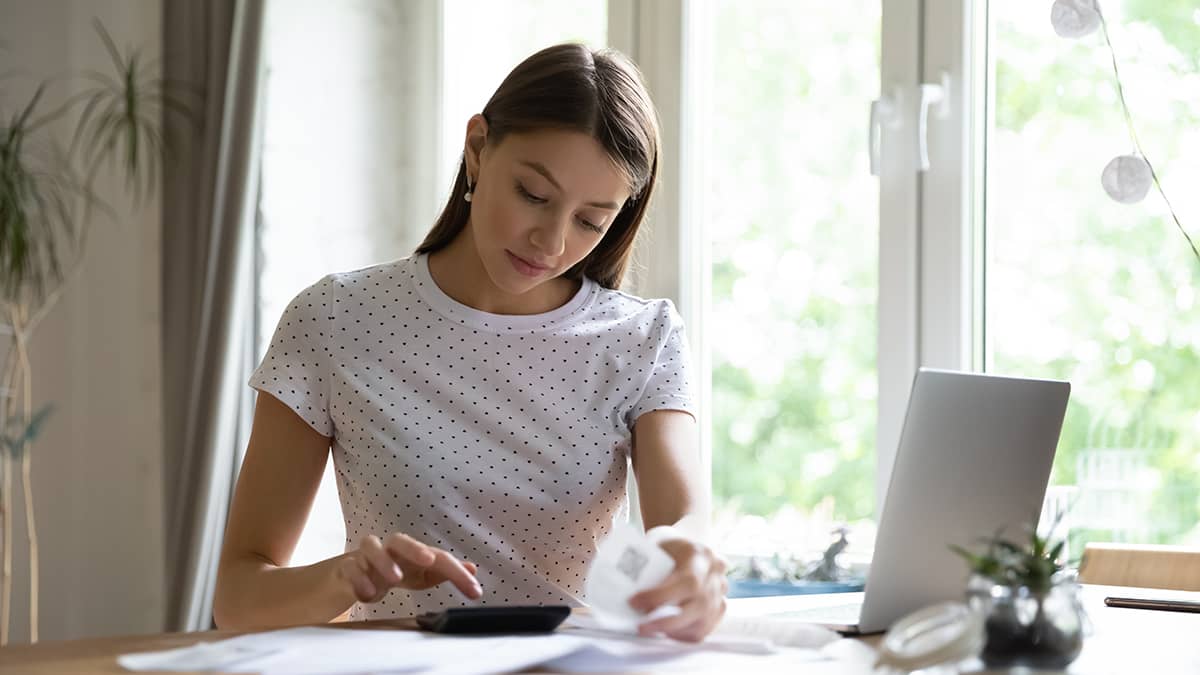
(670, 486)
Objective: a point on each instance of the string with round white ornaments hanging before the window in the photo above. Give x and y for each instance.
(1126, 178)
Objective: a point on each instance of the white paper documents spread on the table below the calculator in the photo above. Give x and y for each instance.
(578, 648)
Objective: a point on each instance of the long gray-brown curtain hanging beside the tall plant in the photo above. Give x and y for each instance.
(211, 201)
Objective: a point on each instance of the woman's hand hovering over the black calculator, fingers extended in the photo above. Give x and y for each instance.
(399, 561)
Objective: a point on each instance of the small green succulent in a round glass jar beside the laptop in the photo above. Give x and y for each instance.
(1030, 602)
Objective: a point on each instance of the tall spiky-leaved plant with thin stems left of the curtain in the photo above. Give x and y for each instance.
(47, 201)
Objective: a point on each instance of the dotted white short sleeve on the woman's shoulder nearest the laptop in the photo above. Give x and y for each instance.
(670, 385)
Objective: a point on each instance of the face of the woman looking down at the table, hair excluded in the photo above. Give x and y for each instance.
(542, 202)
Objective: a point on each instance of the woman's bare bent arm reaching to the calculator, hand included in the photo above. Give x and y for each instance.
(279, 481)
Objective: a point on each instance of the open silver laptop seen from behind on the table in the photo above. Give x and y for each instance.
(974, 458)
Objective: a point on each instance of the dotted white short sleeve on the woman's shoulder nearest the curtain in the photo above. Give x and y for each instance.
(297, 366)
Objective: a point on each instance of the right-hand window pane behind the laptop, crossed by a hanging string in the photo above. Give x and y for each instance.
(1084, 289)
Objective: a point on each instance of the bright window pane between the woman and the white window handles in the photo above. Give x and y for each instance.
(794, 222)
